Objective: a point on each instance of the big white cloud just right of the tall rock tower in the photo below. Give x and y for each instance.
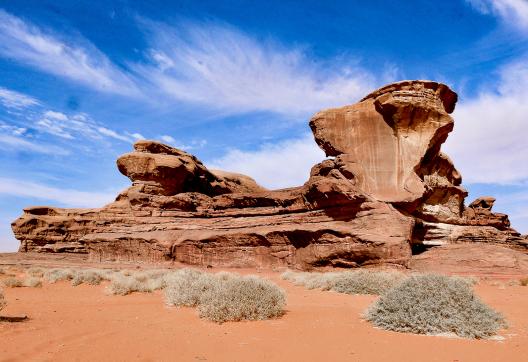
(489, 144)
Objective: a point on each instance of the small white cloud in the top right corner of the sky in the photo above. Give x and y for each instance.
(510, 11)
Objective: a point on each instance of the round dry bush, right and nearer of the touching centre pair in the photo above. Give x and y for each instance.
(241, 298)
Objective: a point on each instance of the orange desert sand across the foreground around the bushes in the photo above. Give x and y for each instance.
(84, 324)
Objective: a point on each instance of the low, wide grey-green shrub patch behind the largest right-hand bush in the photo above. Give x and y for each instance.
(348, 282)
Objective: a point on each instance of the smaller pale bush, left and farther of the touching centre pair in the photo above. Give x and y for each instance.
(186, 287)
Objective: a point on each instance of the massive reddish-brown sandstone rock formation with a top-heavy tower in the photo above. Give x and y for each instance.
(386, 189)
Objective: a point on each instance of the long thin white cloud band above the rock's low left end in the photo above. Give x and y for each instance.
(66, 197)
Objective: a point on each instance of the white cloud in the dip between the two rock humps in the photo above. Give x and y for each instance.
(279, 165)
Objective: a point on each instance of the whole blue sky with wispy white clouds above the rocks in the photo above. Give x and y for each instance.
(235, 83)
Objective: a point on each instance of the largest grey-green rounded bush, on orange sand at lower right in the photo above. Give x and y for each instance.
(434, 304)
